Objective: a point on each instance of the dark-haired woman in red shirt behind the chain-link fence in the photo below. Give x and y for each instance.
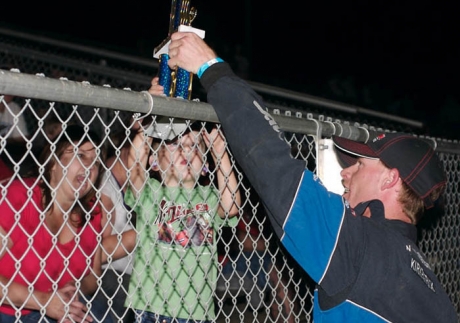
(49, 226)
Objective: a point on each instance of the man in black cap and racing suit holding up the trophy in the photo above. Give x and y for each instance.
(360, 248)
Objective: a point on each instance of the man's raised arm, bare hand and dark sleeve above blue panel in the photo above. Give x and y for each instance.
(255, 138)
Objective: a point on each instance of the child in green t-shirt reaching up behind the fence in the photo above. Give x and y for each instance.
(175, 265)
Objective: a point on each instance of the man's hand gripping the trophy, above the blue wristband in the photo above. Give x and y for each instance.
(188, 51)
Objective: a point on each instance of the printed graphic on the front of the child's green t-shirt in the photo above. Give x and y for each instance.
(185, 225)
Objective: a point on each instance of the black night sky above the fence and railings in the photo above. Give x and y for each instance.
(400, 51)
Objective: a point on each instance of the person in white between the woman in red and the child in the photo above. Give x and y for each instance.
(118, 247)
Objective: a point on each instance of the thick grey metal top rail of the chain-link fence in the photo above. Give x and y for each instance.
(81, 93)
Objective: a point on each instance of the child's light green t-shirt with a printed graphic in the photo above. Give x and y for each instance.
(175, 260)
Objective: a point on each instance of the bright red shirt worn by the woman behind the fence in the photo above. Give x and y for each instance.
(40, 260)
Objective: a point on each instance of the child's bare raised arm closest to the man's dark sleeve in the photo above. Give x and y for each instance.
(230, 198)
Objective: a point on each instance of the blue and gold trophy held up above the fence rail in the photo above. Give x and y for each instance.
(176, 82)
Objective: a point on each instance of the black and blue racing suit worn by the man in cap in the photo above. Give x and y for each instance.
(366, 269)
